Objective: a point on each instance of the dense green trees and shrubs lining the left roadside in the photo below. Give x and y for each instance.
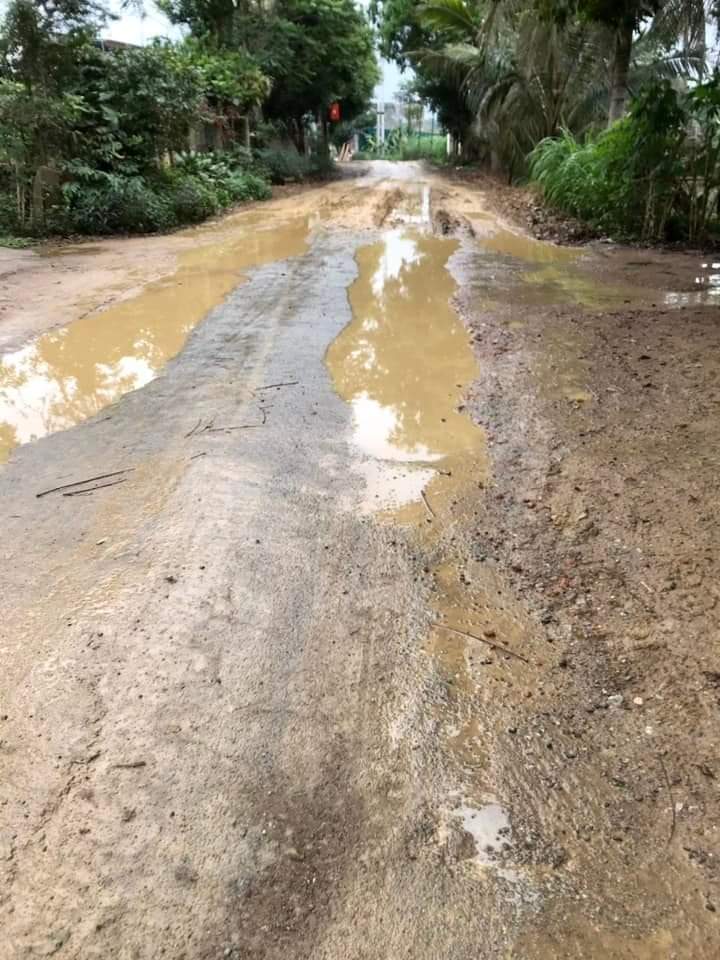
(97, 137)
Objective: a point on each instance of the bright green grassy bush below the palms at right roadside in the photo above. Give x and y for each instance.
(653, 175)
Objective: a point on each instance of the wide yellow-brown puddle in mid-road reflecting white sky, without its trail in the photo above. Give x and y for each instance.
(403, 364)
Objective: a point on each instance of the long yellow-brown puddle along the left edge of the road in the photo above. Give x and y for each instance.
(70, 374)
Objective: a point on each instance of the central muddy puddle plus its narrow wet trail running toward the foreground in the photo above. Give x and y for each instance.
(404, 364)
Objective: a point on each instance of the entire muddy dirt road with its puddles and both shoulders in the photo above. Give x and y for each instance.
(359, 579)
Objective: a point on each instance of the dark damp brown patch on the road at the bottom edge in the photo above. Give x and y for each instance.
(292, 864)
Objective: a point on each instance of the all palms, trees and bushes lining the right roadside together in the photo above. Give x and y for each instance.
(611, 108)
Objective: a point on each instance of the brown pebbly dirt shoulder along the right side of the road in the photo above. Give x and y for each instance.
(601, 515)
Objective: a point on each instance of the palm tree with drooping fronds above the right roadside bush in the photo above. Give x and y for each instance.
(528, 72)
